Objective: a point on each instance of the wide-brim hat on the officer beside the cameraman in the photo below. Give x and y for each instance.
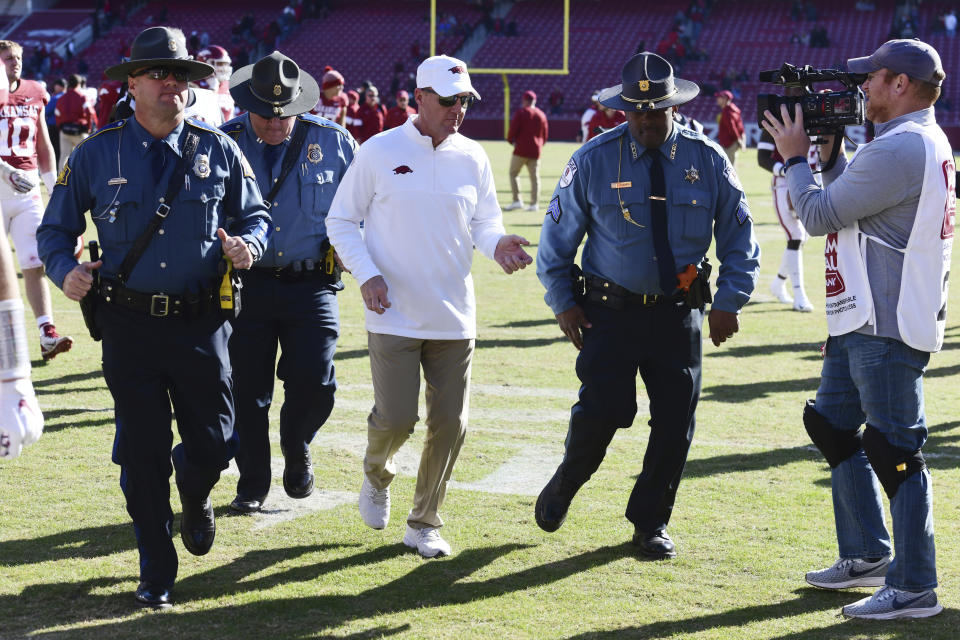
(648, 84)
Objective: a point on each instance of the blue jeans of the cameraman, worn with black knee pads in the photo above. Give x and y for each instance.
(879, 381)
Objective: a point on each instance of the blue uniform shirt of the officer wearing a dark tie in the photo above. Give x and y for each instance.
(703, 195)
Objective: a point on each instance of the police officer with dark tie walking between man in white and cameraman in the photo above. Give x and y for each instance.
(646, 195)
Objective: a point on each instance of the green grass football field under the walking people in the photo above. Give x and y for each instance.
(753, 512)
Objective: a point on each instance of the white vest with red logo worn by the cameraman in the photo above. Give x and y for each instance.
(921, 310)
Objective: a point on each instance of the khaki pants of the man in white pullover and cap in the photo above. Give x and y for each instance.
(395, 363)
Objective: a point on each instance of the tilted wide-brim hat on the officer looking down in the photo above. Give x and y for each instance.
(274, 87)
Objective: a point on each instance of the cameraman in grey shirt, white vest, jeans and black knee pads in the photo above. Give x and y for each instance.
(888, 215)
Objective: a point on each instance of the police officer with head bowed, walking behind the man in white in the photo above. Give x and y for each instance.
(290, 296)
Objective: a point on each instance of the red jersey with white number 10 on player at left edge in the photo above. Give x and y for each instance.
(19, 124)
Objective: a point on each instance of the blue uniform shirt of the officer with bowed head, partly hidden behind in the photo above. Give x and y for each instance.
(299, 211)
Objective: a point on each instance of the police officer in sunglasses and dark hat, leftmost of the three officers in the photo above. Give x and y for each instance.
(164, 334)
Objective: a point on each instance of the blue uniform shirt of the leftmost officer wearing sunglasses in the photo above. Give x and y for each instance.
(111, 174)
